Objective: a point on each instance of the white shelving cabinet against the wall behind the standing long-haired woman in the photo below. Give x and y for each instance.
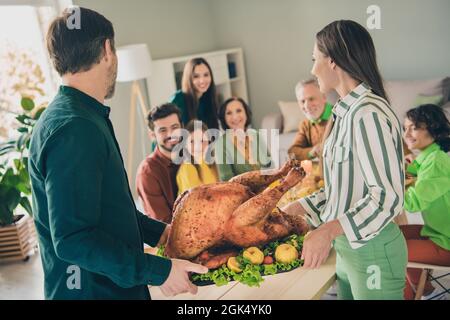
(227, 68)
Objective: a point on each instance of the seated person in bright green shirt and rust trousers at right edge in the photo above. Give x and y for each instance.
(427, 130)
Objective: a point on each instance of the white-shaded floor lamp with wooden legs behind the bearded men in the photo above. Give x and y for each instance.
(134, 65)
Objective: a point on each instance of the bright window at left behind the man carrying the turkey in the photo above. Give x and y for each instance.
(25, 68)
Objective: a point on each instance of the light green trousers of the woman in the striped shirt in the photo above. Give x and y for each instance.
(376, 271)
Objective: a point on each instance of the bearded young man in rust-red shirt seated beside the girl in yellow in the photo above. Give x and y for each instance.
(156, 176)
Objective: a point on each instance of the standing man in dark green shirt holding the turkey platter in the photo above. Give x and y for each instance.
(91, 234)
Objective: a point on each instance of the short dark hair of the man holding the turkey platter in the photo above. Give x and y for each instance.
(75, 50)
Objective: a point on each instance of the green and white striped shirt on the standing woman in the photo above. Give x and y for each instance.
(363, 168)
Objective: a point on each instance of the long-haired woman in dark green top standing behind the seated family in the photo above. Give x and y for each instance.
(197, 98)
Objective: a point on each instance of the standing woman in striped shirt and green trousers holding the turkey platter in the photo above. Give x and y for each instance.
(363, 172)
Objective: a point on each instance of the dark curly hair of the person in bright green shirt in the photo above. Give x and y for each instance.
(434, 120)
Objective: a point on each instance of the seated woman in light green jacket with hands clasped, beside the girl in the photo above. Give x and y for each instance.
(239, 149)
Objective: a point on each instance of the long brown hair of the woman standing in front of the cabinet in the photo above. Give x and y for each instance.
(190, 97)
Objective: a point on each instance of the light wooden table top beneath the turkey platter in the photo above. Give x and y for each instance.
(297, 284)
